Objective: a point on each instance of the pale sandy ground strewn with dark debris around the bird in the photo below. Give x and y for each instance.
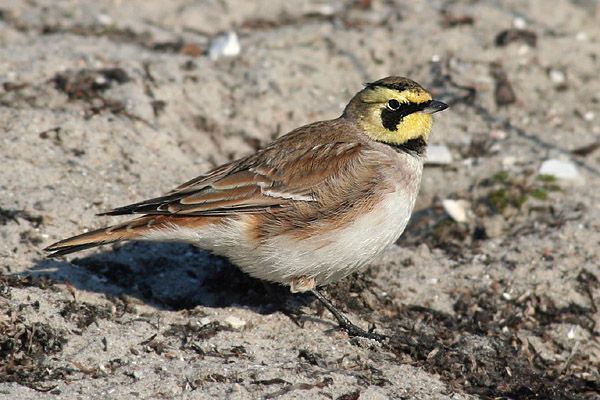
(104, 103)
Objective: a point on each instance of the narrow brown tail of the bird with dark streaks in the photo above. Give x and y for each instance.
(130, 230)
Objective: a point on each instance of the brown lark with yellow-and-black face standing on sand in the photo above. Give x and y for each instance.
(312, 207)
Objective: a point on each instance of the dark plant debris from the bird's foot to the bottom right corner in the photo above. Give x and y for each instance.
(477, 349)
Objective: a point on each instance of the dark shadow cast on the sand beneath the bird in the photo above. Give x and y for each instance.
(168, 276)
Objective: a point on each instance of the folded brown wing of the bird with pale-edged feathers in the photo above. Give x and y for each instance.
(273, 178)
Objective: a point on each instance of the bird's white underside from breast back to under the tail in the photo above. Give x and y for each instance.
(326, 257)
